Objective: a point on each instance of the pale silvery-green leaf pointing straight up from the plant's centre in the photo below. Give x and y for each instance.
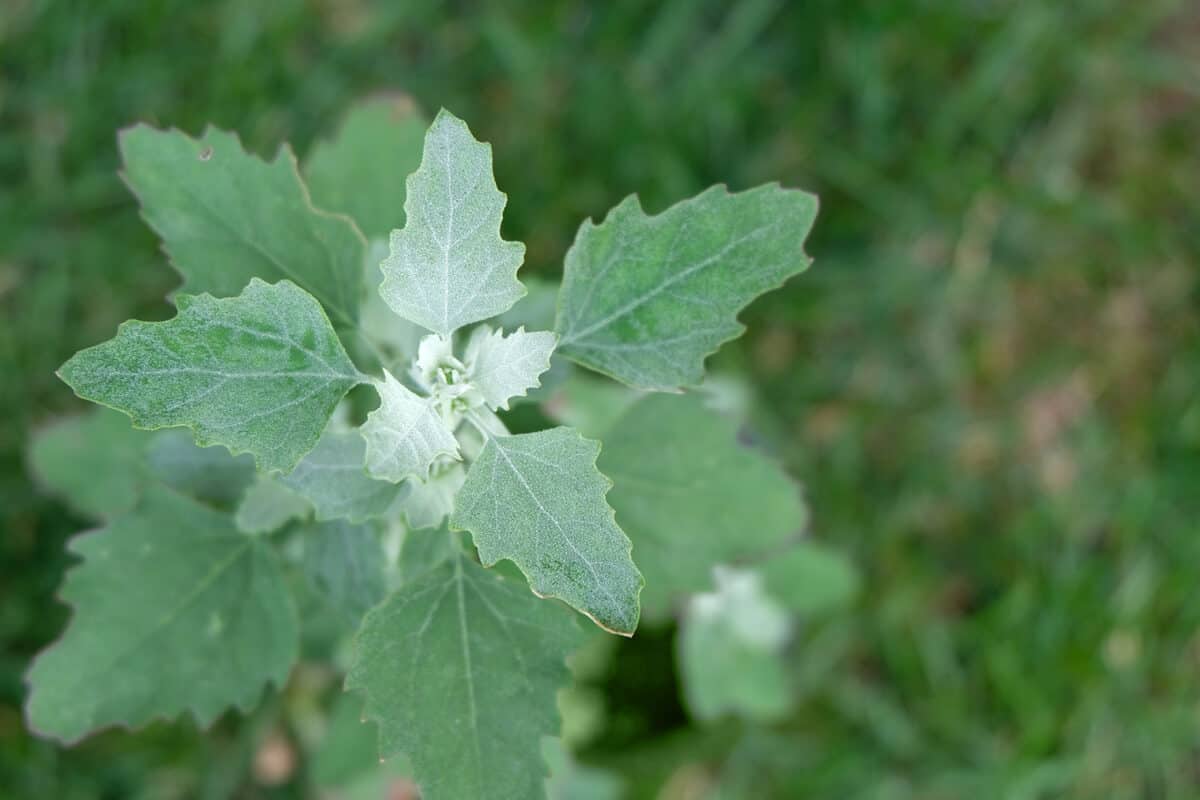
(449, 267)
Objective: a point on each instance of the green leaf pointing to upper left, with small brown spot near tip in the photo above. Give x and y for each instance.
(226, 218)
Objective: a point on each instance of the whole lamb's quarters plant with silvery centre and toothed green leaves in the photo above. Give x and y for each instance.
(391, 506)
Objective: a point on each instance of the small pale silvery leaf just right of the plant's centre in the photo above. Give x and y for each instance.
(503, 368)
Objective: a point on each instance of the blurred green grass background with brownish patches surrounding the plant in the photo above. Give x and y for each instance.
(987, 383)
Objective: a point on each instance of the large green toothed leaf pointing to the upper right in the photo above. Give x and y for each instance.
(646, 299)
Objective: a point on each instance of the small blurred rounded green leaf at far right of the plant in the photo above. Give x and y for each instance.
(811, 579)
